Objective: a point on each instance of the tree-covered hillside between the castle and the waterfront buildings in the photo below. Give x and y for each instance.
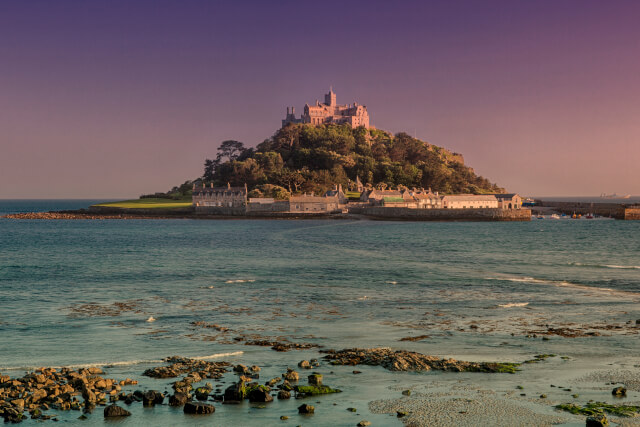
(314, 158)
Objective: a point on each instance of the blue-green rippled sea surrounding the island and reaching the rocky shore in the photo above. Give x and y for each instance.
(125, 294)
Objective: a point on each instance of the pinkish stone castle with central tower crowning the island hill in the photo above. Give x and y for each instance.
(330, 113)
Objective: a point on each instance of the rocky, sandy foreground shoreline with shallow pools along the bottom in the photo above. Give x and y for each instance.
(404, 388)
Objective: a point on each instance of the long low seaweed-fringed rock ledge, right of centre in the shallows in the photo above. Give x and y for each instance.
(400, 360)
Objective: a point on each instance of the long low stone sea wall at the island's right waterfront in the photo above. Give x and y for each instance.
(444, 214)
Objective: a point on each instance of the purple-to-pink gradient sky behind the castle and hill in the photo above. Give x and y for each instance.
(110, 98)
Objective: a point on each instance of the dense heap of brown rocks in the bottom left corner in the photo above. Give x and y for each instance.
(47, 388)
